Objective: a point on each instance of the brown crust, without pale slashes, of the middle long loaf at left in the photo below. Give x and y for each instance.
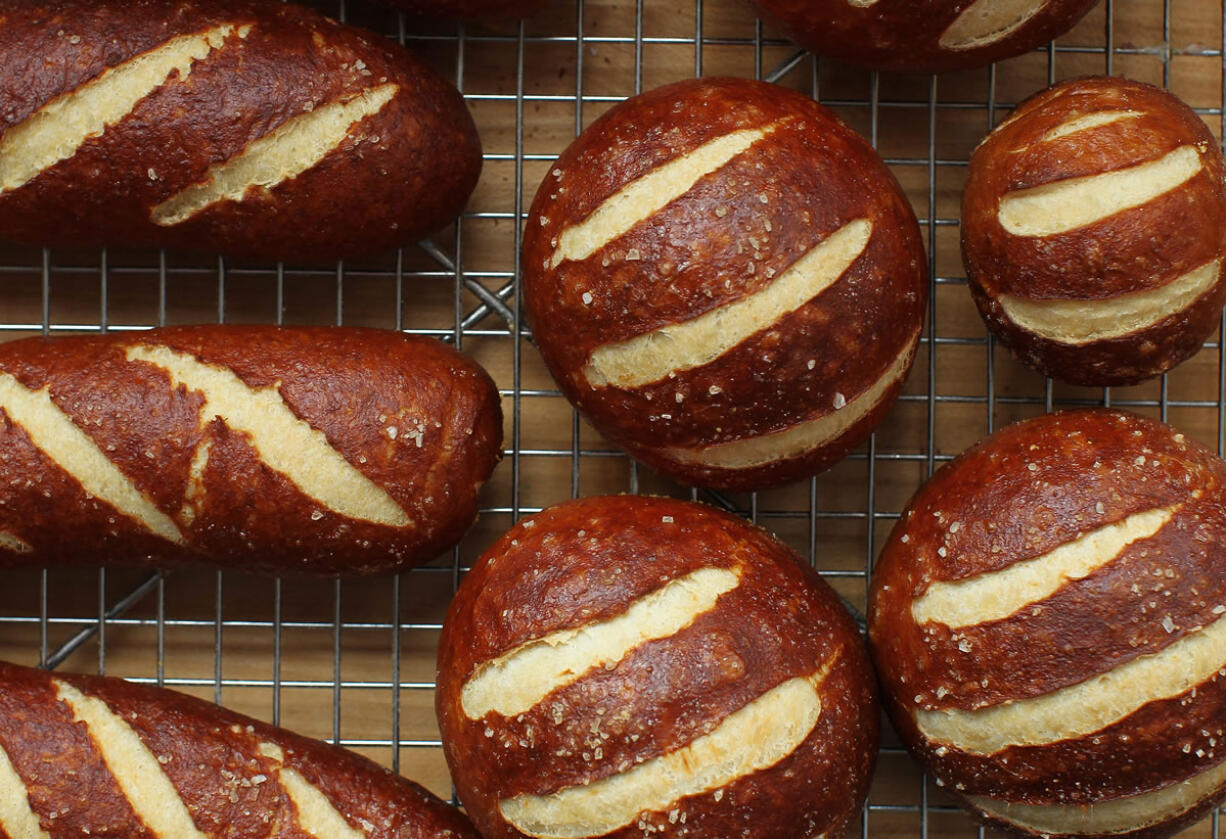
(351, 385)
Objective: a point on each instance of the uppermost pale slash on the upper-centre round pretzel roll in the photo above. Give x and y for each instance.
(650, 193)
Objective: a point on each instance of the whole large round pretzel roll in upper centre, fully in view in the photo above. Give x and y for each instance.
(726, 280)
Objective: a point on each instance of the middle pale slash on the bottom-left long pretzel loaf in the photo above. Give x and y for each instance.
(134, 767)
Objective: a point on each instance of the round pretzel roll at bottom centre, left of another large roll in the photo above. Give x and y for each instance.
(628, 667)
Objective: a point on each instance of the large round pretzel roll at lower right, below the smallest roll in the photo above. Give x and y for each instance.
(1046, 624)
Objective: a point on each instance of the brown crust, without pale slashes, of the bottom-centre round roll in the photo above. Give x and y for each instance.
(587, 561)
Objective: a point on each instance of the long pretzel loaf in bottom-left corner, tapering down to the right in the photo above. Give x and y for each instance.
(86, 756)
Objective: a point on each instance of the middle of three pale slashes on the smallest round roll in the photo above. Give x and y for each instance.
(1073, 203)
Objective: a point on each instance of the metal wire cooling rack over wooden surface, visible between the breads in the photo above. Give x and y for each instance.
(354, 661)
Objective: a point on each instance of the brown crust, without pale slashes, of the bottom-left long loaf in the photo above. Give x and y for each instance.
(213, 759)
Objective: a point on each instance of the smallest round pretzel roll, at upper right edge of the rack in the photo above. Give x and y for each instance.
(1094, 230)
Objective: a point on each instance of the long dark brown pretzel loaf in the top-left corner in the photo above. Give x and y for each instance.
(251, 128)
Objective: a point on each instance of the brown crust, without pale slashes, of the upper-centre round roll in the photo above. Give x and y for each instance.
(730, 236)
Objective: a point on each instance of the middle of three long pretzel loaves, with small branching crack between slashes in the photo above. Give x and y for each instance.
(313, 450)
